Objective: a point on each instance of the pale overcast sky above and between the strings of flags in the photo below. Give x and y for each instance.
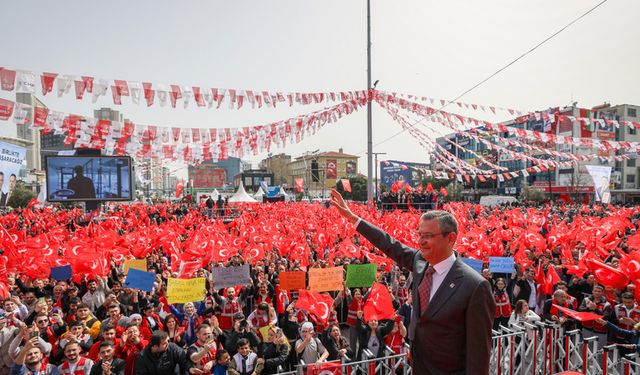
(436, 49)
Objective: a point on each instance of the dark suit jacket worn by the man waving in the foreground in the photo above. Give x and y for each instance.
(453, 336)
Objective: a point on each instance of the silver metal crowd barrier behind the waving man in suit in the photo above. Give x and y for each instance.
(526, 349)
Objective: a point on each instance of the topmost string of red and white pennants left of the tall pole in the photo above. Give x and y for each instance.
(25, 81)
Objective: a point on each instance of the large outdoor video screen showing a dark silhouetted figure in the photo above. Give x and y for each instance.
(88, 178)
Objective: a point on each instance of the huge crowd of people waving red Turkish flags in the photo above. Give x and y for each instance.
(92, 323)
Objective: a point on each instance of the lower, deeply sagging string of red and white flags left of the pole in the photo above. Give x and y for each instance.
(191, 145)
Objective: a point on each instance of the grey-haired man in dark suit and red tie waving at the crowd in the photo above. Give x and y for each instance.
(453, 307)
